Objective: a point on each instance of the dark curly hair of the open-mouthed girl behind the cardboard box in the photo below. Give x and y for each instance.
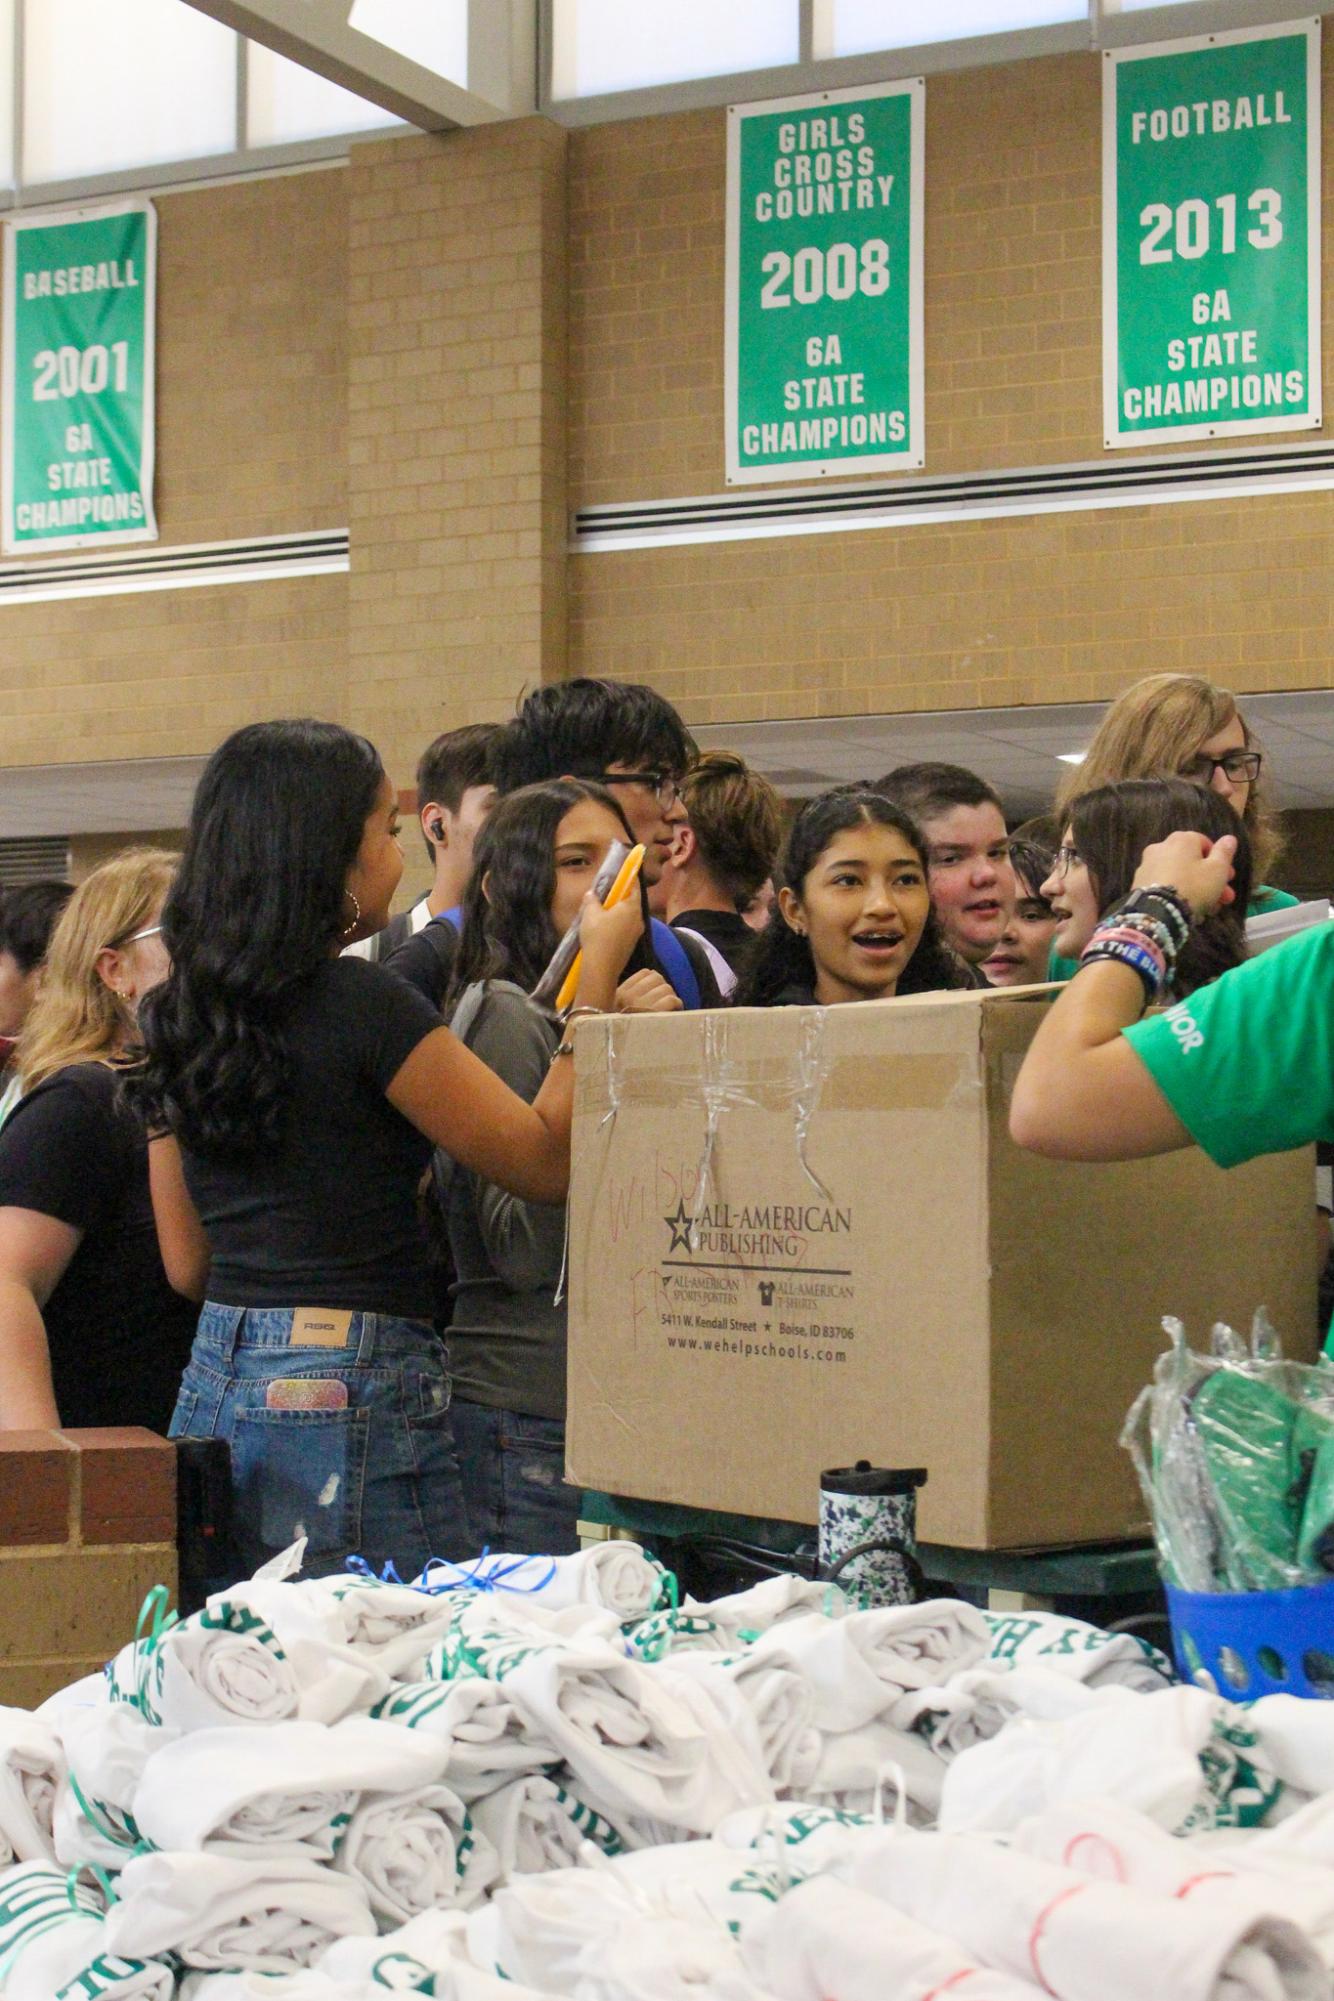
(783, 957)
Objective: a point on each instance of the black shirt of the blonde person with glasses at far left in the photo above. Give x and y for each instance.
(119, 1336)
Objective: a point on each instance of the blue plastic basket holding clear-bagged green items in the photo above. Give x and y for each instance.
(1257, 1642)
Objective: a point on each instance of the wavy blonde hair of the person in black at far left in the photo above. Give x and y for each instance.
(77, 1018)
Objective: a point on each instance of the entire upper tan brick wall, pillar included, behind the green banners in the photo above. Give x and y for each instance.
(453, 337)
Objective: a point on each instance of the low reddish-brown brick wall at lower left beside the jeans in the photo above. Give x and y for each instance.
(87, 1530)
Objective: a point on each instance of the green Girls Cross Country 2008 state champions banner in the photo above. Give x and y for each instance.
(825, 283)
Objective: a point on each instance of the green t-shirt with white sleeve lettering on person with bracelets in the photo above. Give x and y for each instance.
(1249, 1062)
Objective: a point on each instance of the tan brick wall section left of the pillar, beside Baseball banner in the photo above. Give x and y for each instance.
(251, 441)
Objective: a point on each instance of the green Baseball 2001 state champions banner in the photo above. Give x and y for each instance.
(79, 379)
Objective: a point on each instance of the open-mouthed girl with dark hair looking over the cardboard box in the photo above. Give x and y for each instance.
(853, 919)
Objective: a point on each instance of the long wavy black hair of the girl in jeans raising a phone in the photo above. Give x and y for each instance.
(255, 913)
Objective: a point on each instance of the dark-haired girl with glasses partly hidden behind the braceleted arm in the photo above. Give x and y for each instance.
(1105, 837)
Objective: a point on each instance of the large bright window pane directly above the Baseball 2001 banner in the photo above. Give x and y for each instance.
(111, 85)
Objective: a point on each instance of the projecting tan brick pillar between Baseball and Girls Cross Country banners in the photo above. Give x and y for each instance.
(457, 369)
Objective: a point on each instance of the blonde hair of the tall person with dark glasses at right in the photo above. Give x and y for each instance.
(1153, 731)
